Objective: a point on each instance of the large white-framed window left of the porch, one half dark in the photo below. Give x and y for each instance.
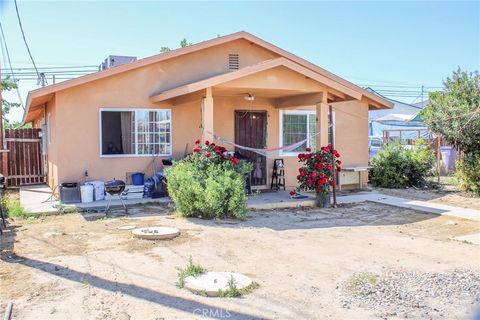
(135, 132)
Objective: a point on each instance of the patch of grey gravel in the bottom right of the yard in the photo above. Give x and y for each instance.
(413, 295)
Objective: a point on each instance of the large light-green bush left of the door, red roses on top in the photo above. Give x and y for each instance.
(209, 183)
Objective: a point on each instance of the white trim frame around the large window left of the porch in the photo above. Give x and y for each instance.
(136, 155)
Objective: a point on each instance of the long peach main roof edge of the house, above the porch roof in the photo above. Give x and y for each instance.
(38, 93)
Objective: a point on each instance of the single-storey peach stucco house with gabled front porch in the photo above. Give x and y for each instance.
(110, 122)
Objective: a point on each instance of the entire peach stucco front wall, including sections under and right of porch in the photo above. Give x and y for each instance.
(75, 117)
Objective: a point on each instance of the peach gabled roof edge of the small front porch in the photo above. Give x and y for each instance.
(259, 67)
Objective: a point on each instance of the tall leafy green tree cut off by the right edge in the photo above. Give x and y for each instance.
(455, 112)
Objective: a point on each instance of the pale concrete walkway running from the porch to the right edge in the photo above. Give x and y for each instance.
(428, 207)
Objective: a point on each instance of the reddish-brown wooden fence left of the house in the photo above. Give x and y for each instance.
(24, 159)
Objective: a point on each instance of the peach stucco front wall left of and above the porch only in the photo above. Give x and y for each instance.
(75, 146)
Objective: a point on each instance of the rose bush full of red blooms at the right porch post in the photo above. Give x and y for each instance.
(317, 172)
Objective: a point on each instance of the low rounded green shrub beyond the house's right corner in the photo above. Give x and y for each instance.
(398, 167)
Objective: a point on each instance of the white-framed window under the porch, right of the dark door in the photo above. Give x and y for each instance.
(298, 125)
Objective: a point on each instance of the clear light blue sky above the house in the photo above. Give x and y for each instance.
(377, 43)
